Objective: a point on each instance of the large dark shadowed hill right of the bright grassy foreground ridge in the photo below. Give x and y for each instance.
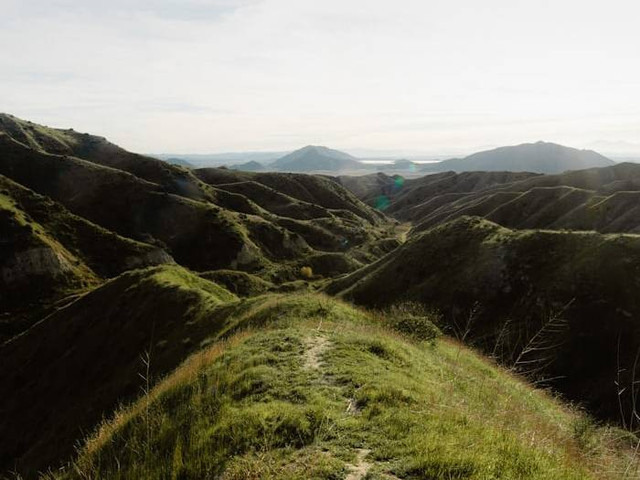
(558, 305)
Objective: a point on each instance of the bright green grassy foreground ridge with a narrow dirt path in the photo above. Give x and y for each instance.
(309, 397)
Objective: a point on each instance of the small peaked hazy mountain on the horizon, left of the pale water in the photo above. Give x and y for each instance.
(314, 158)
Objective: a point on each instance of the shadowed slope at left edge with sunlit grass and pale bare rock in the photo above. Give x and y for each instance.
(49, 253)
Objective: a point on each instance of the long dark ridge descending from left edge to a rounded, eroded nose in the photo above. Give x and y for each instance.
(199, 234)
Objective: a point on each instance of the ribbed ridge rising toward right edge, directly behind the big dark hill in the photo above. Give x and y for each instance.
(602, 199)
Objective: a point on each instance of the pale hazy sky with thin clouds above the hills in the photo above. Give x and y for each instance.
(403, 75)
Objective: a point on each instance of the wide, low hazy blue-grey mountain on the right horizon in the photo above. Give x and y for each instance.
(540, 157)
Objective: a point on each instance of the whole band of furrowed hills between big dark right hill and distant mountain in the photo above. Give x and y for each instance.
(602, 199)
